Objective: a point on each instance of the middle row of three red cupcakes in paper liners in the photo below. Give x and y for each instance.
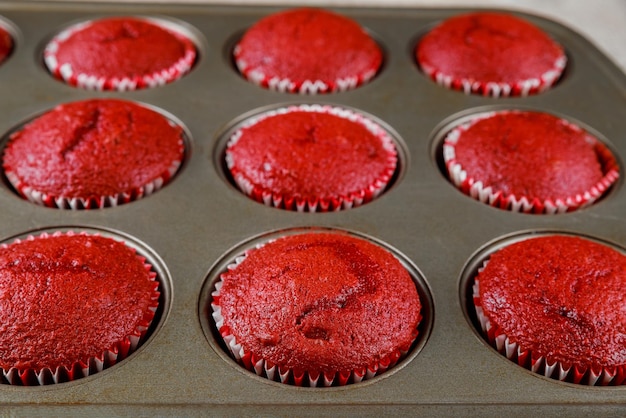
(311, 158)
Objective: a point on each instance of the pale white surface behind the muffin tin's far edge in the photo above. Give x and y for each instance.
(603, 22)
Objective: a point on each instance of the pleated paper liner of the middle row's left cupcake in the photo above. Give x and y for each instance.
(95, 202)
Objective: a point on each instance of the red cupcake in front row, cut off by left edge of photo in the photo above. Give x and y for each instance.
(71, 304)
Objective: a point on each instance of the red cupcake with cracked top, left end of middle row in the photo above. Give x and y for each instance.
(93, 154)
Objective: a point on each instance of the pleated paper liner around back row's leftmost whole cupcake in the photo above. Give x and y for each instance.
(66, 73)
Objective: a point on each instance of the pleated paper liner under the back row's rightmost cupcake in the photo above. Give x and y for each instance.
(520, 88)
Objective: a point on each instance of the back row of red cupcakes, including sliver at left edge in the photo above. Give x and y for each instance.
(310, 51)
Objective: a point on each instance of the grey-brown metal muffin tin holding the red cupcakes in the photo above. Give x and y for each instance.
(194, 224)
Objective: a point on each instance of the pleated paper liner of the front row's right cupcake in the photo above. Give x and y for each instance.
(544, 365)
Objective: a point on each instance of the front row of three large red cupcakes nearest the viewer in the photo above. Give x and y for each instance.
(311, 307)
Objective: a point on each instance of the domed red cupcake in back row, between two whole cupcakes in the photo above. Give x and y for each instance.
(307, 50)
